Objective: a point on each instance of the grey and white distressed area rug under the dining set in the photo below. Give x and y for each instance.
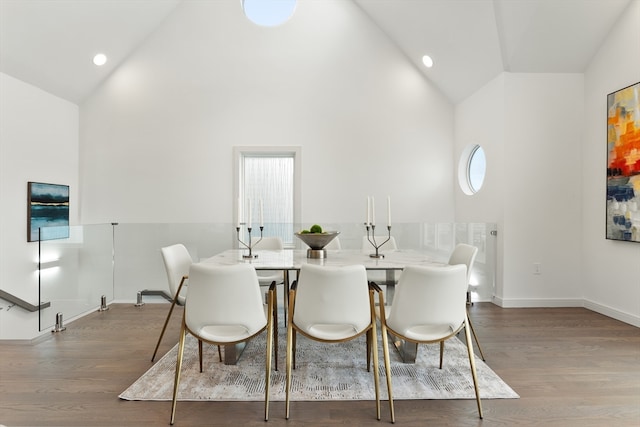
(323, 372)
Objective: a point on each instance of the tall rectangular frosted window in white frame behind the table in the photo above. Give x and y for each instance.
(270, 175)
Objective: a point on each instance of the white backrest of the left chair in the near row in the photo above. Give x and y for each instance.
(224, 295)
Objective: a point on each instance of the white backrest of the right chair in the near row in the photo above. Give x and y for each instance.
(429, 295)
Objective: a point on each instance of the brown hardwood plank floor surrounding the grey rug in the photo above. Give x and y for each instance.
(571, 367)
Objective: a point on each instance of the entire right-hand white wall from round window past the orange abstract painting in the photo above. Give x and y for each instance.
(545, 138)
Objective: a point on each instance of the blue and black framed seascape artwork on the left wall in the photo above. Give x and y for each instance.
(47, 210)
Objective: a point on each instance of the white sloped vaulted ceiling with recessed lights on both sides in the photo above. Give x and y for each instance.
(47, 42)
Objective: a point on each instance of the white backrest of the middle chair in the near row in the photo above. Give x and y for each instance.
(332, 295)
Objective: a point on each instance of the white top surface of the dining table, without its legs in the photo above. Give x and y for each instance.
(293, 259)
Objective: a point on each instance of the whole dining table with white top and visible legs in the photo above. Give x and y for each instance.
(291, 260)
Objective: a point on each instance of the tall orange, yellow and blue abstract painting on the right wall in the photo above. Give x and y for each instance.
(623, 164)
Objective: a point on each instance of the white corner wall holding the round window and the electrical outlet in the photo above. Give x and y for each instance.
(530, 126)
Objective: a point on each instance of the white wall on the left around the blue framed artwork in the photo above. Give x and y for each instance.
(38, 142)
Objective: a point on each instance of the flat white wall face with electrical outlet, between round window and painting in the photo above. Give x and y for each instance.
(542, 210)
